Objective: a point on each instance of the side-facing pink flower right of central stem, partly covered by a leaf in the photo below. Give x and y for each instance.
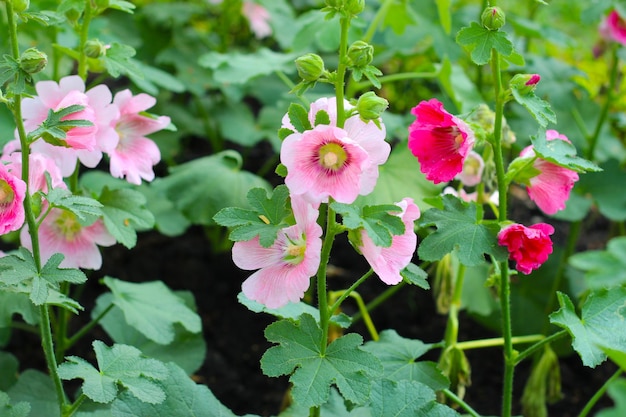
(388, 262)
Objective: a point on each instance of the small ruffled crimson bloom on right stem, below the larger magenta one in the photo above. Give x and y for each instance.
(528, 246)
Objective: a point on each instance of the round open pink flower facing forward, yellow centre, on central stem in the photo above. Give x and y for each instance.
(325, 162)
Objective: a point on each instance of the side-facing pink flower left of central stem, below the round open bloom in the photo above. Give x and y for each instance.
(285, 268)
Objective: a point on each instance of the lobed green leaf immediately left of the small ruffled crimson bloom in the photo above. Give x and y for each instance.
(458, 229)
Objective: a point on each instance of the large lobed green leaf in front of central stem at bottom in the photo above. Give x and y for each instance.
(298, 353)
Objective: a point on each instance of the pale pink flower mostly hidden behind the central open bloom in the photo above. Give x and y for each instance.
(366, 134)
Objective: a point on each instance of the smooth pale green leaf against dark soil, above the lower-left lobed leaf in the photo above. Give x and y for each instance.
(152, 308)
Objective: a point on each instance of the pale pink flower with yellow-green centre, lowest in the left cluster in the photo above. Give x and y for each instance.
(61, 232)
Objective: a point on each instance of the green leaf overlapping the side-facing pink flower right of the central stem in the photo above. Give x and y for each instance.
(378, 221)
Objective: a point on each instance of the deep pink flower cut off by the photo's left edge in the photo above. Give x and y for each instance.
(12, 193)
